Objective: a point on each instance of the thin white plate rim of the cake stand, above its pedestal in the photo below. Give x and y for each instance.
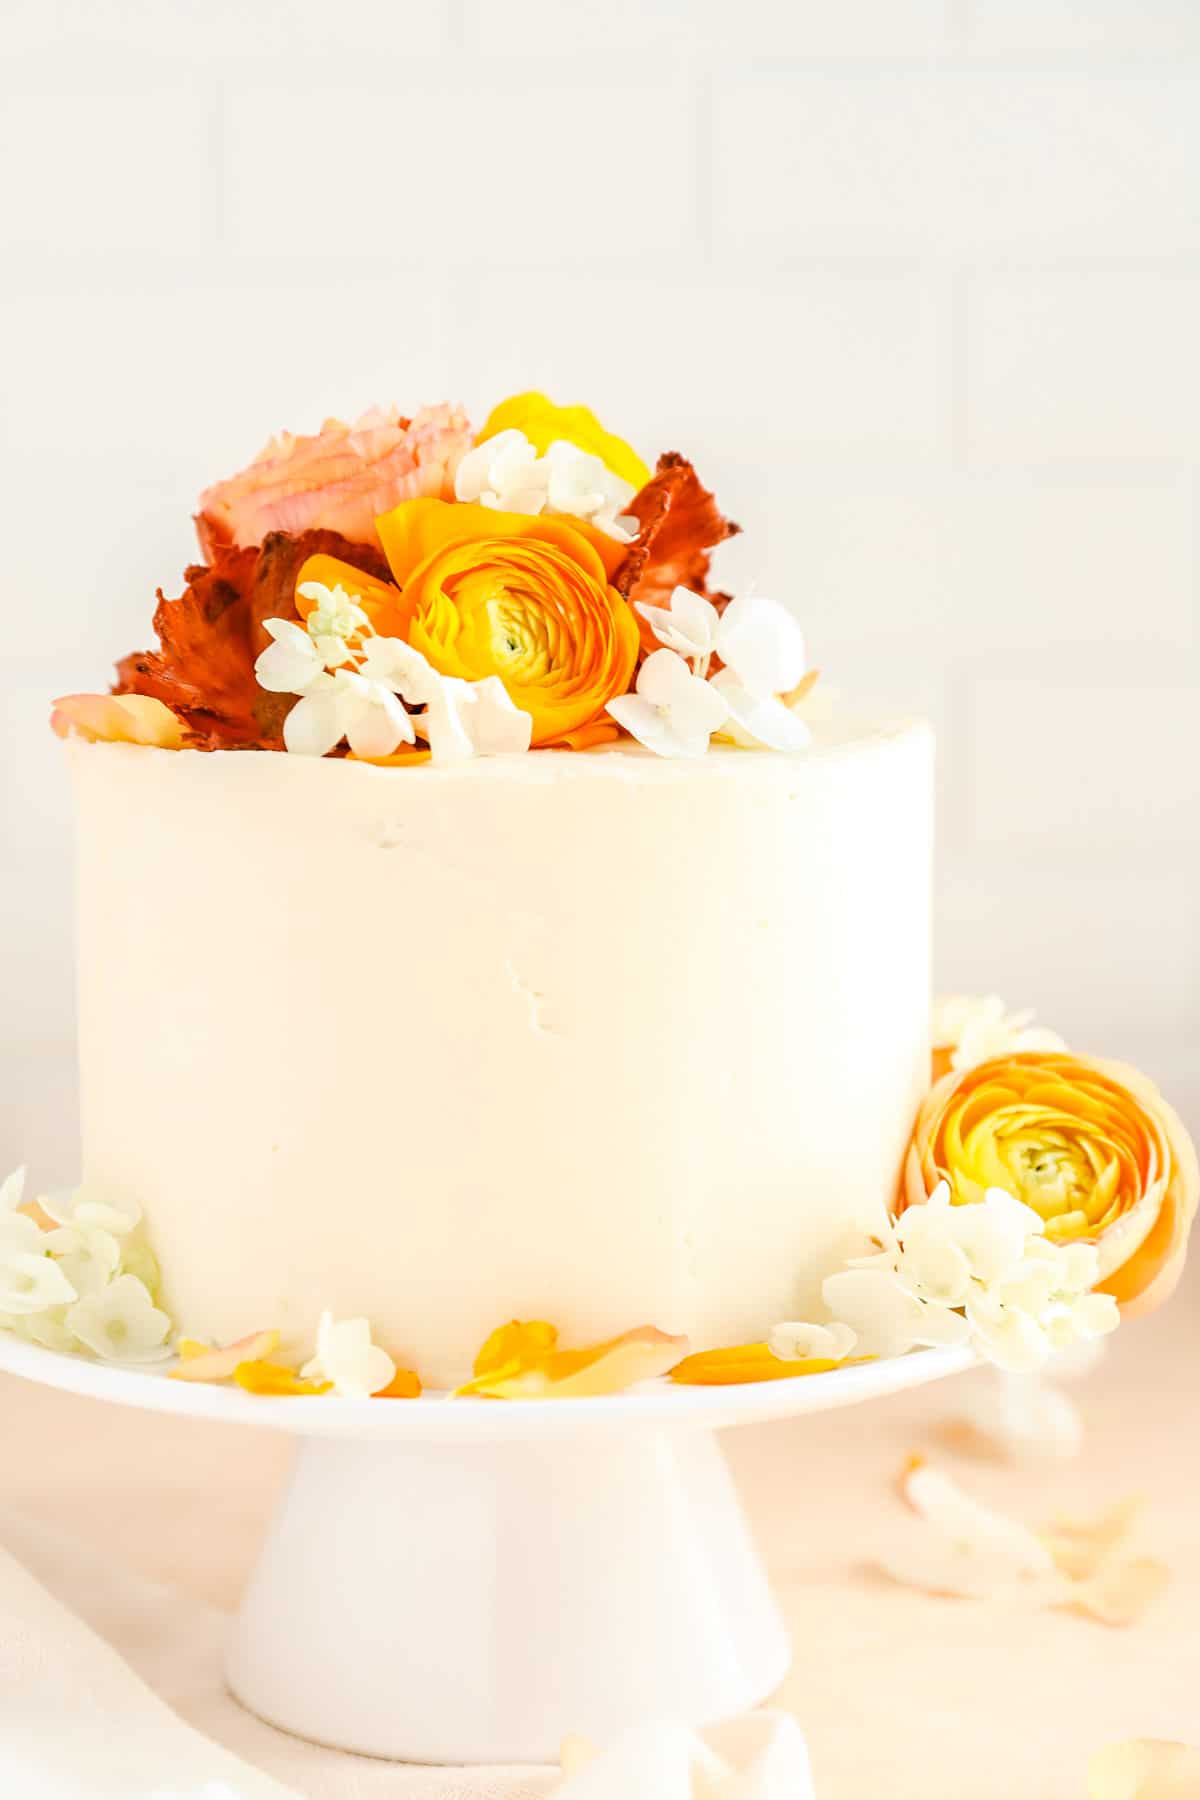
(436, 1419)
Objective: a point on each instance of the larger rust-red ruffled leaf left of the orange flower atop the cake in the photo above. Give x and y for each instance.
(213, 634)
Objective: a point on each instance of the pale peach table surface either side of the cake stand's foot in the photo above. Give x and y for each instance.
(902, 1696)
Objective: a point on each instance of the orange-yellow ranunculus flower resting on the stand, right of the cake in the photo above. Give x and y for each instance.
(1091, 1146)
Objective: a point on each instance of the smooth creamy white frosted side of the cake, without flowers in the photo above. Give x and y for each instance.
(589, 1038)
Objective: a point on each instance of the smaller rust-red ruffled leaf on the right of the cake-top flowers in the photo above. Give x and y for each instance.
(681, 525)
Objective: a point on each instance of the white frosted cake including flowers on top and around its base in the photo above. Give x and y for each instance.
(492, 962)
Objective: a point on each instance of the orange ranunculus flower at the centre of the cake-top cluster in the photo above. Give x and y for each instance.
(524, 598)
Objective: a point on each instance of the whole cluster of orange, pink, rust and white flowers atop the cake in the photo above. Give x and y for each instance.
(406, 589)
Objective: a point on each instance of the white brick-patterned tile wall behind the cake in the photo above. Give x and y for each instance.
(917, 283)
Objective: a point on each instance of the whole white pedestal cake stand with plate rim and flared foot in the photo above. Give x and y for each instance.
(467, 1581)
